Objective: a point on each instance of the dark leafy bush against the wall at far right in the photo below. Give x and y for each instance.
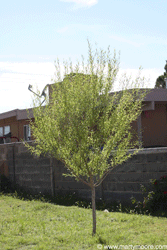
(155, 197)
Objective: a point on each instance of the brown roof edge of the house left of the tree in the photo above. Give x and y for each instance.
(20, 114)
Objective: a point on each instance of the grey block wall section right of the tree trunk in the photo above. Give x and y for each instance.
(124, 181)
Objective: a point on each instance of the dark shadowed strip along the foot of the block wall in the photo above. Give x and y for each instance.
(72, 199)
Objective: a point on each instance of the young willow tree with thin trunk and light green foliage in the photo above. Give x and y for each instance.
(84, 124)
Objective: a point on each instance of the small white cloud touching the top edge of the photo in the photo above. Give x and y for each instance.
(81, 3)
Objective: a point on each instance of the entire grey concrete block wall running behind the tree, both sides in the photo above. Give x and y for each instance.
(45, 175)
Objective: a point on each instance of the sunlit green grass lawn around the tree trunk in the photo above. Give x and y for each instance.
(41, 225)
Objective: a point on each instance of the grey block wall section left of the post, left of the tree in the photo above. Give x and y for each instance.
(27, 171)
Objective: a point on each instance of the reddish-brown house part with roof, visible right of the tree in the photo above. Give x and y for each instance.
(153, 120)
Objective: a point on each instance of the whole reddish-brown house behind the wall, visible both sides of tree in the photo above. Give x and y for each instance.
(151, 126)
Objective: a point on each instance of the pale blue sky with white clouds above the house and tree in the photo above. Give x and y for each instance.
(33, 34)
